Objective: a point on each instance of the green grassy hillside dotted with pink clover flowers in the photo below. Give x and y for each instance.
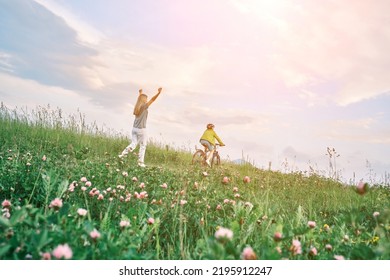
(66, 194)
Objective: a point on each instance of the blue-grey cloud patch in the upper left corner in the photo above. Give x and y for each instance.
(40, 45)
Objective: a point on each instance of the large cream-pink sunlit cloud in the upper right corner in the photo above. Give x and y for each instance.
(319, 44)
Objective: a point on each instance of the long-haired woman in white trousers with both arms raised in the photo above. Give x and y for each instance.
(138, 134)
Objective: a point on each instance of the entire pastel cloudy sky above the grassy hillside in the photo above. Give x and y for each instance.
(282, 80)
